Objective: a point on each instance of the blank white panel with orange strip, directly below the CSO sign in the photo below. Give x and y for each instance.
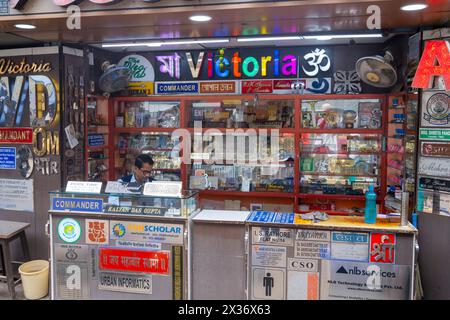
(303, 285)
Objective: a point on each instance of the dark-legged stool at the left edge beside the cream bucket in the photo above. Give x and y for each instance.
(9, 231)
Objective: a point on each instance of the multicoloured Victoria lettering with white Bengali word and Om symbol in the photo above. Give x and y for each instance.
(238, 66)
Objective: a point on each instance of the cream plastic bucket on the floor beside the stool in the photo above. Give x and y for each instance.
(34, 276)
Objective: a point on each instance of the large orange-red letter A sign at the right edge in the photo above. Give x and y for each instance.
(435, 62)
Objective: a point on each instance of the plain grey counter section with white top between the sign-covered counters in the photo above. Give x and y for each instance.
(218, 255)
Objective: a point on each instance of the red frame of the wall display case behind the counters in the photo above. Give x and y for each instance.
(297, 130)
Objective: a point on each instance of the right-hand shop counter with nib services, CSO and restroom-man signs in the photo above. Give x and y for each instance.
(340, 258)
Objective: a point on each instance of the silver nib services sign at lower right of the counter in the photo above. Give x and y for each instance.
(343, 280)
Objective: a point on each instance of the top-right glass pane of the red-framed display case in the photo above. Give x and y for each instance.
(342, 114)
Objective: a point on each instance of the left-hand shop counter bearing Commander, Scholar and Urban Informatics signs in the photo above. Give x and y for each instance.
(106, 246)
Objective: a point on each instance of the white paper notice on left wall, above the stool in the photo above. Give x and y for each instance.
(16, 195)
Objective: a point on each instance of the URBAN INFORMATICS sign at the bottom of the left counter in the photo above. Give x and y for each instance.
(132, 283)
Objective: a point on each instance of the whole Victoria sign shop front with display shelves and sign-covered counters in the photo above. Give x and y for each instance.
(263, 159)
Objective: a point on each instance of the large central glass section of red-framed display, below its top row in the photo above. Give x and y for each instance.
(244, 162)
